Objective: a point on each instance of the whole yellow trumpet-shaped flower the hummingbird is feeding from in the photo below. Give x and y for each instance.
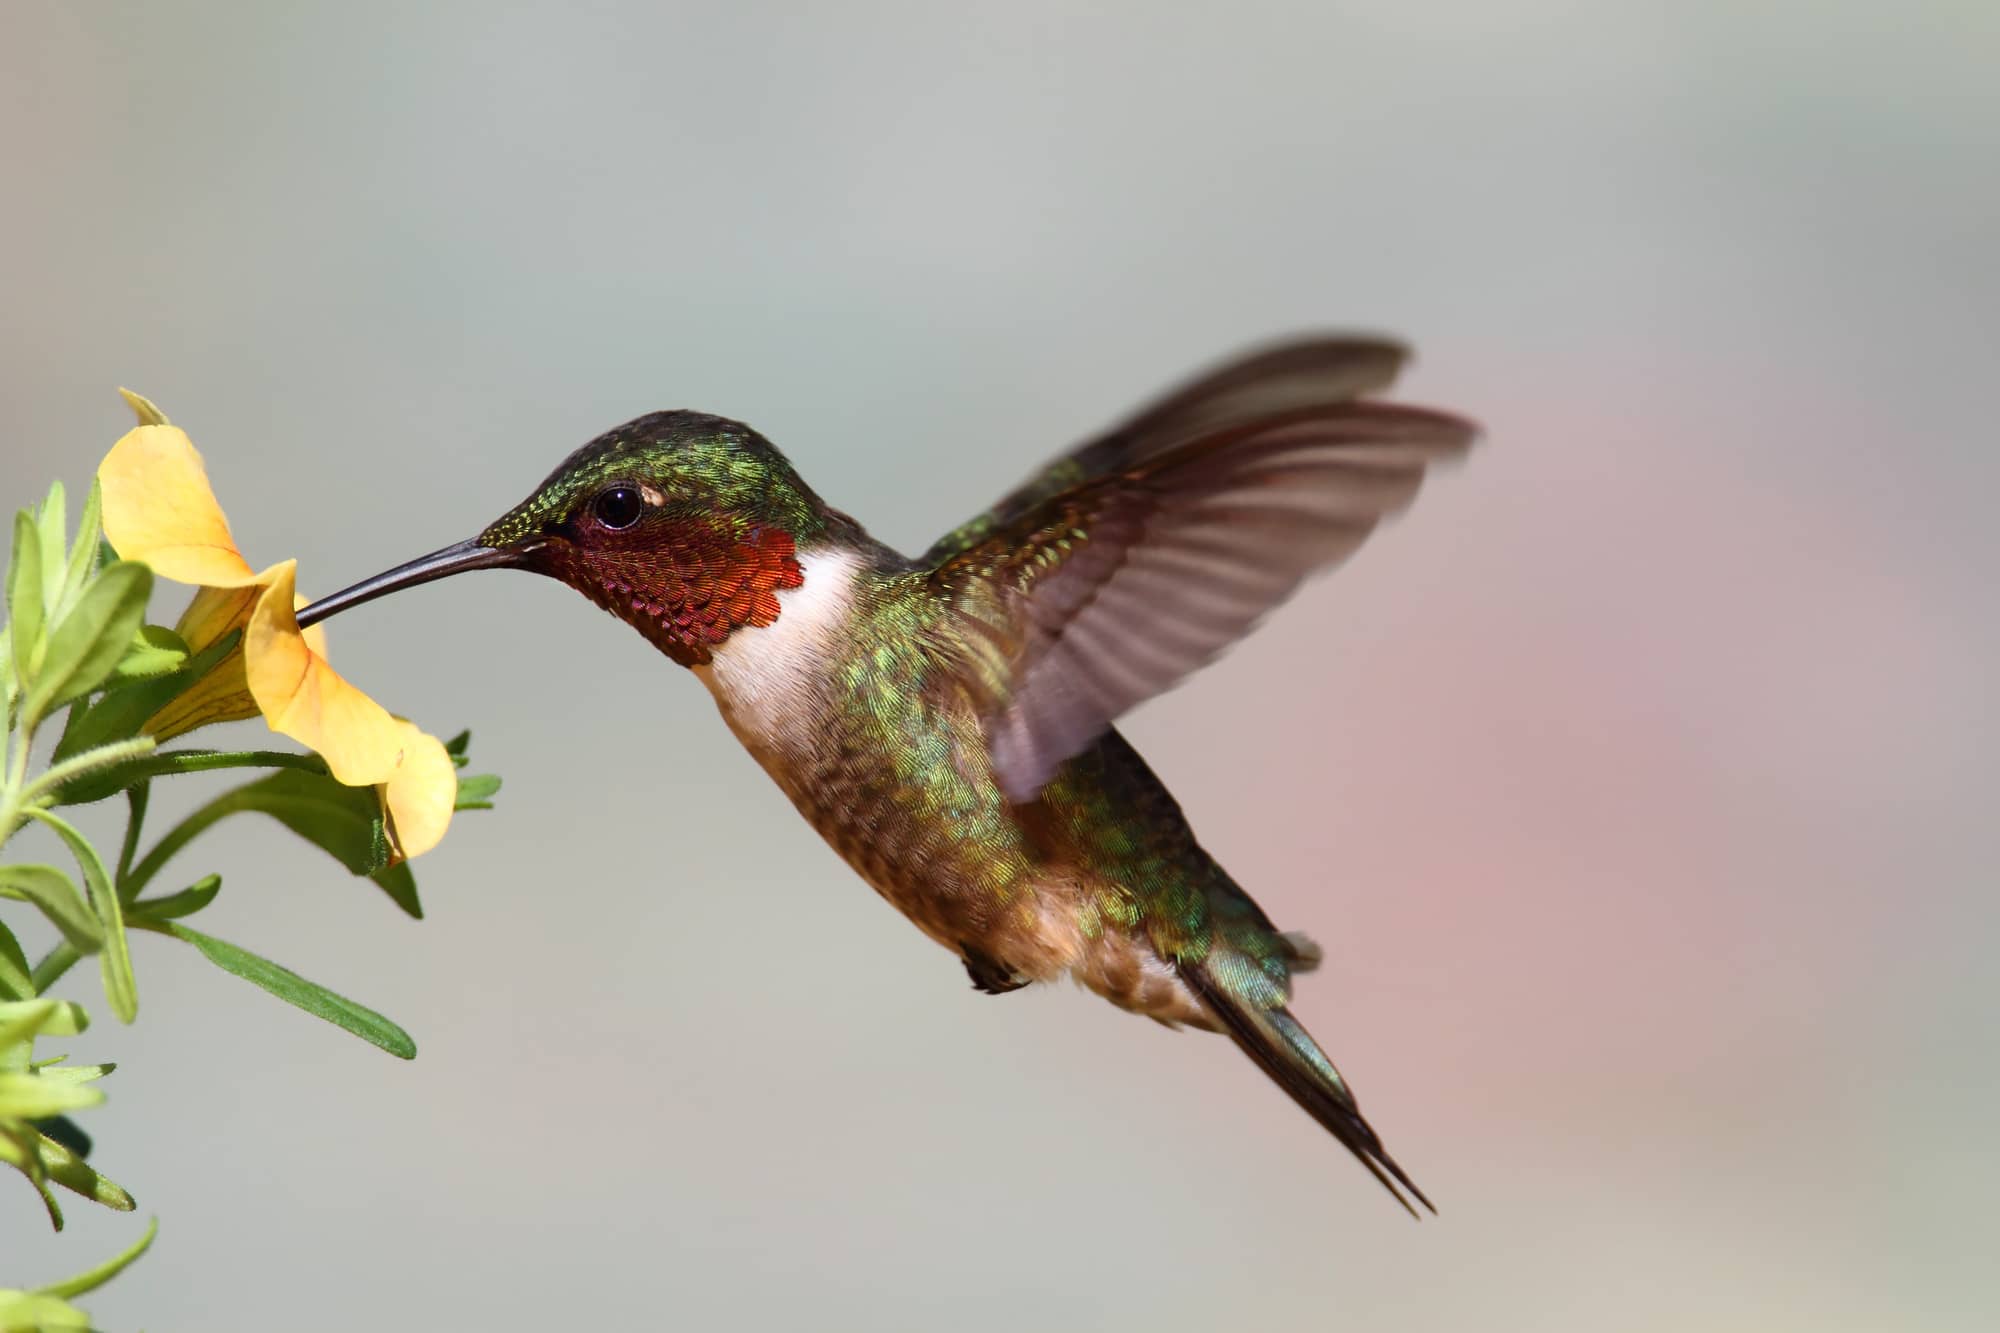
(159, 509)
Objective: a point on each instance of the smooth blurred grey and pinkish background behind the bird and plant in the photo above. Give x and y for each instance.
(1639, 784)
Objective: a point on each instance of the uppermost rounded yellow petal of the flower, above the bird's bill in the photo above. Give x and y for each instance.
(161, 509)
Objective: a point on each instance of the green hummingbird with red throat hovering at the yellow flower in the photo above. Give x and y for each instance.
(947, 722)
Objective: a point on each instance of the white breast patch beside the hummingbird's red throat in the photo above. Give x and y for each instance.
(769, 680)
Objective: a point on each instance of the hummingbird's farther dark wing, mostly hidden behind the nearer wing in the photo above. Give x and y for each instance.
(1309, 373)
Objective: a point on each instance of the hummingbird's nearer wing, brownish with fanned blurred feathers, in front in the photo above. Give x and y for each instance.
(1097, 597)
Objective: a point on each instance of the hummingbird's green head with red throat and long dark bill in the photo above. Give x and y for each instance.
(679, 523)
